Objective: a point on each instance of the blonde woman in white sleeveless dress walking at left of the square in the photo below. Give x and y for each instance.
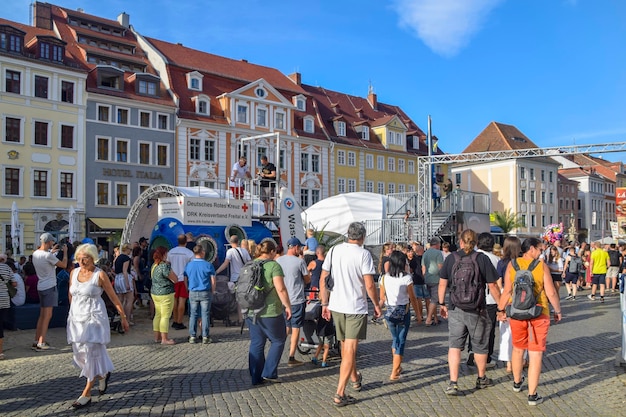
(88, 328)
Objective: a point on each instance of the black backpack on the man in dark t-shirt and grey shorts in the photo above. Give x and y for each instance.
(467, 291)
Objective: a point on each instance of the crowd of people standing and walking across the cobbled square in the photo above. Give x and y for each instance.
(414, 281)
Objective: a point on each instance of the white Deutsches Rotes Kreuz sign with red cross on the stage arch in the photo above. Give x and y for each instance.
(206, 211)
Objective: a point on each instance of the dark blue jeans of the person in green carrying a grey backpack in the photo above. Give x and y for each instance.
(274, 330)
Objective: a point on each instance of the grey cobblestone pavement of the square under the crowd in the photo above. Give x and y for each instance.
(580, 376)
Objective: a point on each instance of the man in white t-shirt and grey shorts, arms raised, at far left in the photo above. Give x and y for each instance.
(45, 262)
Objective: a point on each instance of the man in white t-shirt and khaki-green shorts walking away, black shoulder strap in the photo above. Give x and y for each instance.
(353, 272)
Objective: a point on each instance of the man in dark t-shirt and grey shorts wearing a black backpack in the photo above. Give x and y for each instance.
(467, 273)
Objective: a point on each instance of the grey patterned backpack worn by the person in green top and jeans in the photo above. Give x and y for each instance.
(250, 290)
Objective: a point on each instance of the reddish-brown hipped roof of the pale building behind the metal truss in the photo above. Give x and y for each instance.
(499, 137)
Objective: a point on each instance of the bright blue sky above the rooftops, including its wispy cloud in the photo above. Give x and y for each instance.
(556, 69)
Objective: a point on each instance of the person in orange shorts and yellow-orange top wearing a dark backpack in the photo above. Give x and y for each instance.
(528, 287)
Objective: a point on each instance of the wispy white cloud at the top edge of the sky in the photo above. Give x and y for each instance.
(445, 26)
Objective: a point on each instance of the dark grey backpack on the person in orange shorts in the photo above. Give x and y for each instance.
(524, 305)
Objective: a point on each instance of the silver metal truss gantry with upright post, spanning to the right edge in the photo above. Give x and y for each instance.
(424, 178)
